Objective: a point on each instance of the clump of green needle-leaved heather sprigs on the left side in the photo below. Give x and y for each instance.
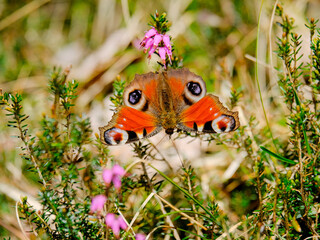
(58, 154)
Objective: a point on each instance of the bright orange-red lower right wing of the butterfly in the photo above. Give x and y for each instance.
(208, 115)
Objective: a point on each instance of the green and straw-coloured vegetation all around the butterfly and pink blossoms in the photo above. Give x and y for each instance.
(59, 62)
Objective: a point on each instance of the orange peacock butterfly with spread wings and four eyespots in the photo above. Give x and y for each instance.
(173, 99)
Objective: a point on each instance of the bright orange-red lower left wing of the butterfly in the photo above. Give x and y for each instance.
(128, 125)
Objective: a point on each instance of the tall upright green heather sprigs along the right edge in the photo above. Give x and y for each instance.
(291, 200)
